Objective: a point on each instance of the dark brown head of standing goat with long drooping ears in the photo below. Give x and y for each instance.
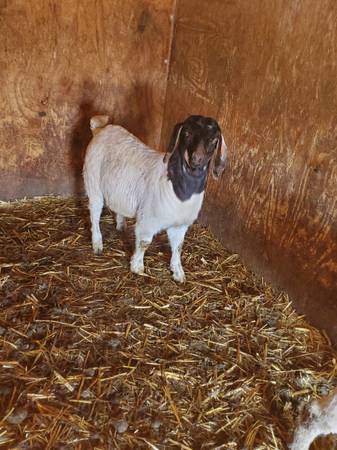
(199, 141)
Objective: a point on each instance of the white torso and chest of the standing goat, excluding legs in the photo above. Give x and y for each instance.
(133, 180)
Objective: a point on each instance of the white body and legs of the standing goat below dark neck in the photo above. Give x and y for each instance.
(132, 180)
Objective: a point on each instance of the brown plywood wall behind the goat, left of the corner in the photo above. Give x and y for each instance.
(62, 61)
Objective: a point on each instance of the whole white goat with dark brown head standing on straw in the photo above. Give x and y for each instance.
(135, 181)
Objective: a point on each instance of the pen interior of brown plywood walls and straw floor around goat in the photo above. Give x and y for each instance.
(93, 356)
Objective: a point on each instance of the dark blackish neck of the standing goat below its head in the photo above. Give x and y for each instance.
(185, 181)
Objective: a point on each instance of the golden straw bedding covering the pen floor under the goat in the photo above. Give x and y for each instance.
(93, 356)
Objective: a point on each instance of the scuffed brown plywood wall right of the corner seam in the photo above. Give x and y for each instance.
(267, 70)
